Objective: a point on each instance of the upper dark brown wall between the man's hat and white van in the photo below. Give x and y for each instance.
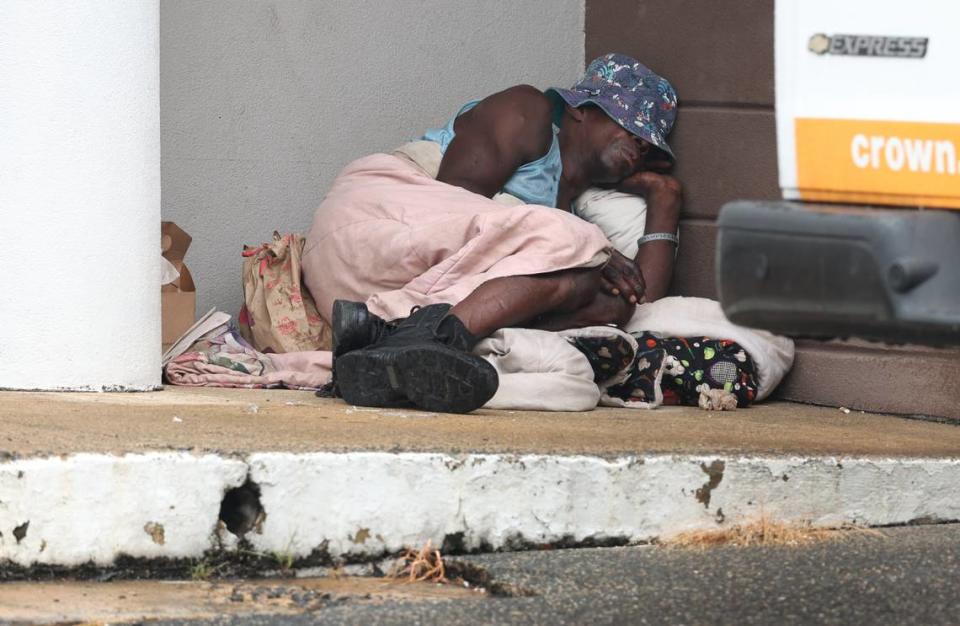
(719, 56)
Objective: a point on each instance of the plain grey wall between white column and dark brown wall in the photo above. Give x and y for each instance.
(262, 103)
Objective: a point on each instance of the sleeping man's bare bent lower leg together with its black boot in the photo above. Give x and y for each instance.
(426, 359)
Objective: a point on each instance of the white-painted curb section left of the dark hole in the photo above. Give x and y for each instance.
(95, 507)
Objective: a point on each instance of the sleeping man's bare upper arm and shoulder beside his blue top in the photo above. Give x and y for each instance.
(496, 137)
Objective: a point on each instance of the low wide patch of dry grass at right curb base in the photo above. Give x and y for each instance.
(765, 532)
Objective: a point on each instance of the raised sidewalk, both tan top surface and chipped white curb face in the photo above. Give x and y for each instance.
(90, 477)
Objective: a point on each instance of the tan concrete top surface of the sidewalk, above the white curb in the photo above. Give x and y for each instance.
(240, 421)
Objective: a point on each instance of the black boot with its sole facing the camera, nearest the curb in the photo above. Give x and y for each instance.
(425, 360)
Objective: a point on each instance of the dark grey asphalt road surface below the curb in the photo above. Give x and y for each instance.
(910, 576)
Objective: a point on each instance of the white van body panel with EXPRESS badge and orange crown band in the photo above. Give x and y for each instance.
(868, 101)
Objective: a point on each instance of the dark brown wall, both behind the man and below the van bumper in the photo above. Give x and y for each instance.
(719, 56)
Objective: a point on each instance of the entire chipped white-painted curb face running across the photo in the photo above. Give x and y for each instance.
(93, 507)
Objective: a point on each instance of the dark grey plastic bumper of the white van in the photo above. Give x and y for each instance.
(837, 271)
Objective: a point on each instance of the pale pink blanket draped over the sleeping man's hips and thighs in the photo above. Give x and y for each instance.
(389, 234)
